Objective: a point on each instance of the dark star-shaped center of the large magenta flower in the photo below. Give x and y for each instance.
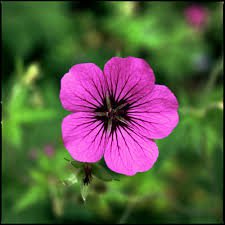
(113, 113)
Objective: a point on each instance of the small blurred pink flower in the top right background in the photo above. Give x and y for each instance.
(196, 16)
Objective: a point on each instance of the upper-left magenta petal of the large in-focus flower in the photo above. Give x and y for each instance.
(82, 88)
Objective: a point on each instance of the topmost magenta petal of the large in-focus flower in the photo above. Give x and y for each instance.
(128, 78)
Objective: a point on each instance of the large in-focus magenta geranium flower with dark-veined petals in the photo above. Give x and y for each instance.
(116, 114)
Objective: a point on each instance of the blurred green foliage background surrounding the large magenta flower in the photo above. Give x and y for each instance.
(40, 42)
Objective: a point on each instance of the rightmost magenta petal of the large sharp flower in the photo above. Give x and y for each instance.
(155, 116)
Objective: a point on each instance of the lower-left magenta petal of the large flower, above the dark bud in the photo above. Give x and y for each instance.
(83, 137)
